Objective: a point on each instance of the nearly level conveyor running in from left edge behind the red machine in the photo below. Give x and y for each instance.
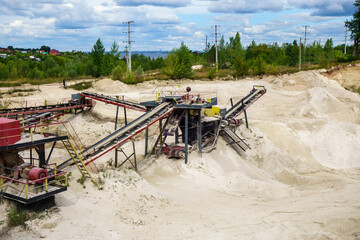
(41, 109)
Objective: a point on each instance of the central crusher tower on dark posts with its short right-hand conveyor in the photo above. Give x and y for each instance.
(197, 125)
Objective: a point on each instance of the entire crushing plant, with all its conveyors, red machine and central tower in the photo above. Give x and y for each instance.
(186, 121)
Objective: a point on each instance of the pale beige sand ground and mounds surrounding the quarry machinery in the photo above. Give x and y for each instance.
(301, 179)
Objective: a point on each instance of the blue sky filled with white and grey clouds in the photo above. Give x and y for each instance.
(163, 24)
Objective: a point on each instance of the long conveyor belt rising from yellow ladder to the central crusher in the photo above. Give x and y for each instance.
(122, 135)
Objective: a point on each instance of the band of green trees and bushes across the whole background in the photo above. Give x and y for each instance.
(255, 59)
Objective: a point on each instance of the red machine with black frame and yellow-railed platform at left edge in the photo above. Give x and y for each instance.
(26, 176)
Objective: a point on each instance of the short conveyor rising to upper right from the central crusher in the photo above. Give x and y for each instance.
(244, 103)
